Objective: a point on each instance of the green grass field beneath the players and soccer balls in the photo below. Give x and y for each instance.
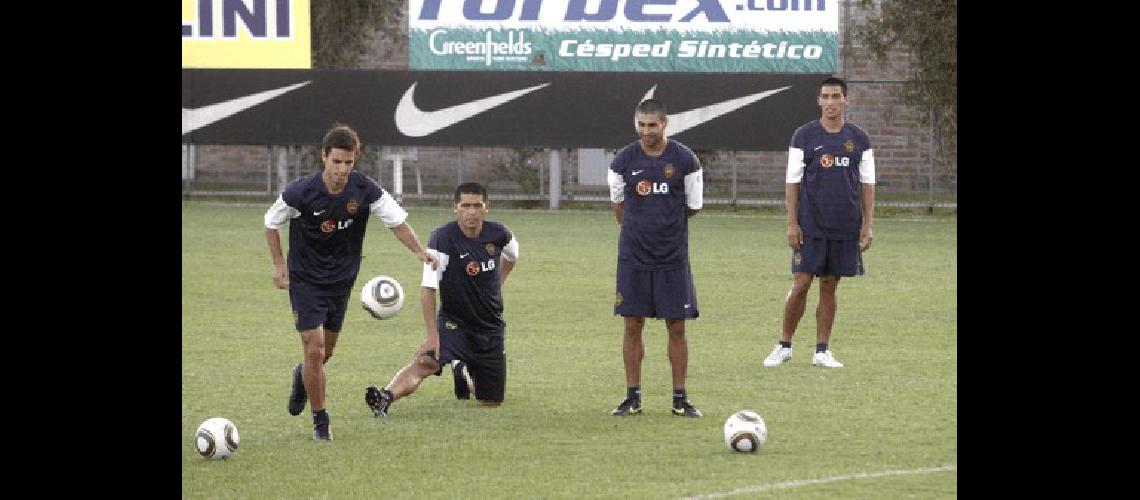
(885, 427)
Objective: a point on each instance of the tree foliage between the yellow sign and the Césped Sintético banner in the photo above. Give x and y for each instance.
(341, 29)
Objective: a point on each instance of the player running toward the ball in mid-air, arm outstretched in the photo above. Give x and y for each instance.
(328, 214)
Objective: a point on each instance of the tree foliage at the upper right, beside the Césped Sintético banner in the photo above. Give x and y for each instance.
(929, 30)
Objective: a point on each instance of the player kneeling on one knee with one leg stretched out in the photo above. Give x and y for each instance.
(476, 257)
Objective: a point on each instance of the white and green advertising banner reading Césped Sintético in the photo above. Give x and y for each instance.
(625, 36)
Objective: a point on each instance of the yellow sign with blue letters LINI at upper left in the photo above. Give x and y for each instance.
(247, 35)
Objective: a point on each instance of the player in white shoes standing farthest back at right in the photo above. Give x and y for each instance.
(830, 198)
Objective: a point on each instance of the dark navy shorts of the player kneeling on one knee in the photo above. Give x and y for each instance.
(485, 355)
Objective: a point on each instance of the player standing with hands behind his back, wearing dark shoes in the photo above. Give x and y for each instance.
(656, 185)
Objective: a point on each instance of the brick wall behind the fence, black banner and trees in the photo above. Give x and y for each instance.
(902, 144)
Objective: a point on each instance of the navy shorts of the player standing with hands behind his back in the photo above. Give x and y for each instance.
(656, 294)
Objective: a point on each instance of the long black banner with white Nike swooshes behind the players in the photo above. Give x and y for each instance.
(576, 110)
